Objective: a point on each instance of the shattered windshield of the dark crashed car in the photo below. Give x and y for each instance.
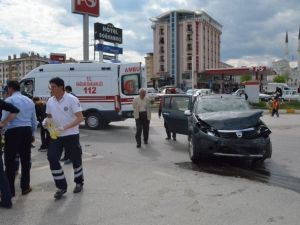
(221, 104)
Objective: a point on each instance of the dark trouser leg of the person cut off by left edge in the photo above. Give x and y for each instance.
(4, 185)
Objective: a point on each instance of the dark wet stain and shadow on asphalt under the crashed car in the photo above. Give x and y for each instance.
(267, 172)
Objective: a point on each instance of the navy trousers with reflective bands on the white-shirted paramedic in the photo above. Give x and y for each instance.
(72, 146)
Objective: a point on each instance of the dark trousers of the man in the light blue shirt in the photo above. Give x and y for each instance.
(18, 140)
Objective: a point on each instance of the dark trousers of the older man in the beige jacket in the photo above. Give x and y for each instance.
(142, 125)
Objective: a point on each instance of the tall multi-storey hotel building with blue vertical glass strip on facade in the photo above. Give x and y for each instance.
(184, 41)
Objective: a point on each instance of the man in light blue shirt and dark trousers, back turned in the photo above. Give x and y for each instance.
(19, 136)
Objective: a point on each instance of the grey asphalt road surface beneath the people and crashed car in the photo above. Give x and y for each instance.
(158, 185)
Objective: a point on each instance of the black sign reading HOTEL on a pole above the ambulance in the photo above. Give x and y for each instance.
(107, 32)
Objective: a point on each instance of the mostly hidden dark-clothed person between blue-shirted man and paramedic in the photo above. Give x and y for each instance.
(40, 108)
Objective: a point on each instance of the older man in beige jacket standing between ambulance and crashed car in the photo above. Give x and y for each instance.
(142, 115)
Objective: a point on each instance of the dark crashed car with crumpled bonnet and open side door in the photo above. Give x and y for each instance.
(219, 125)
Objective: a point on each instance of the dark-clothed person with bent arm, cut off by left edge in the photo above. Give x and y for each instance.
(4, 185)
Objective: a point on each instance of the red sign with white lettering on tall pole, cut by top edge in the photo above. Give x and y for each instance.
(90, 7)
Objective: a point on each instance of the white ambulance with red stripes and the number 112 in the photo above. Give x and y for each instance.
(105, 90)
